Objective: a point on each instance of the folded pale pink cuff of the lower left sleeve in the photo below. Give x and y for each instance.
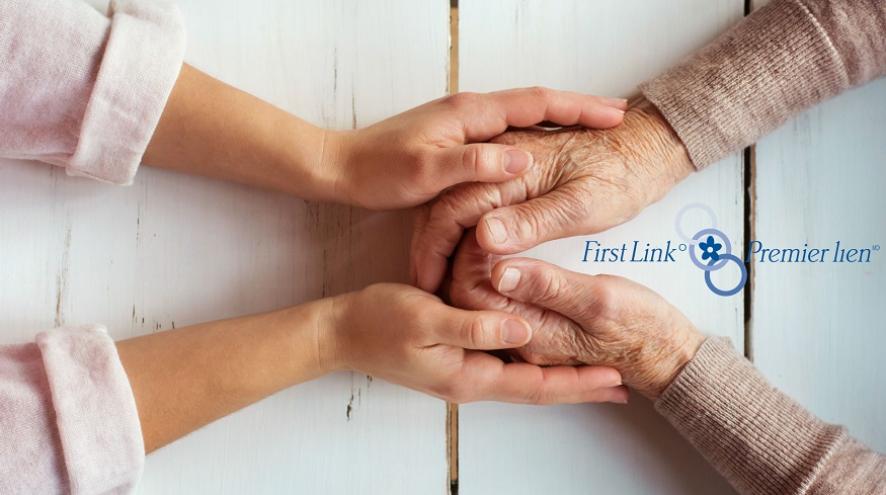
(95, 410)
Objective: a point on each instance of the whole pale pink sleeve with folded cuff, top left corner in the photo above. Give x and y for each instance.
(82, 90)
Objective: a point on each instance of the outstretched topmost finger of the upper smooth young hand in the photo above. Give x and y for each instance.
(488, 115)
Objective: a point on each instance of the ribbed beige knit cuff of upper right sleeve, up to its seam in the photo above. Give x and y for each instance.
(773, 64)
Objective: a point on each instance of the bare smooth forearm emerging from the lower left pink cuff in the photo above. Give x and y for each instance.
(183, 379)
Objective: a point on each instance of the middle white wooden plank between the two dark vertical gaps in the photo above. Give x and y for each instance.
(605, 48)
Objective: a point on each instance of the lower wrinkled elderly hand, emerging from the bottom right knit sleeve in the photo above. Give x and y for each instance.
(601, 319)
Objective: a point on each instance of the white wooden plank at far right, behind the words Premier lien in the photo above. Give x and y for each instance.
(818, 328)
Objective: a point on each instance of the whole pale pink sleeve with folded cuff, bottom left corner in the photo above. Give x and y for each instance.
(68, 420)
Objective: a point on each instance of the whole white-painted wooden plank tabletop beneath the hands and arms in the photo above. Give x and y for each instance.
(173, 250)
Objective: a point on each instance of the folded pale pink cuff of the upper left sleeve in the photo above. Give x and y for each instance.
(141, 62)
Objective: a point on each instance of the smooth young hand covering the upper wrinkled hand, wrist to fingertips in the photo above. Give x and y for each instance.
(408, 159)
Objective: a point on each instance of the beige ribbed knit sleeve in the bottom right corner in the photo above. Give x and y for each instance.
(757, 437)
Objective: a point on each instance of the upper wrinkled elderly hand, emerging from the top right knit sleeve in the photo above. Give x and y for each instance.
(583, 182)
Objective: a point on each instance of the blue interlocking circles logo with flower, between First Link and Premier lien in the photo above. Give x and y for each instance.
(705, 241)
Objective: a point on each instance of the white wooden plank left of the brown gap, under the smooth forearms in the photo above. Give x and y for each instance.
(173, 250)
